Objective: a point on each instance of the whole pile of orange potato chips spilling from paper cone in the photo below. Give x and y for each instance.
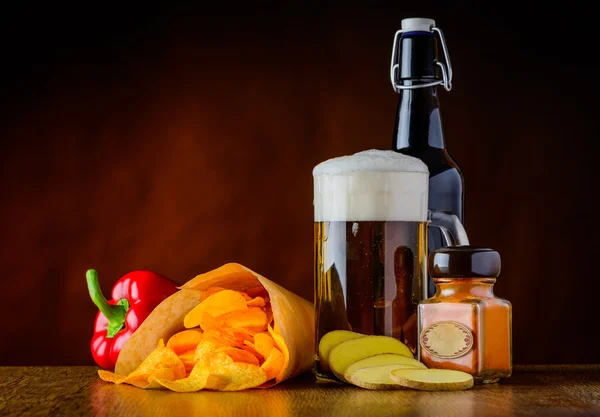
(231, 344)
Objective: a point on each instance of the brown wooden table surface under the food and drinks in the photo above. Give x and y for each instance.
(77, 391)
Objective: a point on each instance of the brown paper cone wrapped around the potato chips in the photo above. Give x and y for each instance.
(293, 315)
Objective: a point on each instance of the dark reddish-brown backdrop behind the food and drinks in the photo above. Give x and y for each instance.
(181, 139)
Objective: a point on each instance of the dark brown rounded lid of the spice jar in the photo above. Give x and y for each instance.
(464, 262)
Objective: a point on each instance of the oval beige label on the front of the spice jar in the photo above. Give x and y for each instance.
(447, 339)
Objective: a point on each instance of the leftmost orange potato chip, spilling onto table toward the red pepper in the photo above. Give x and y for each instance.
(162, 363)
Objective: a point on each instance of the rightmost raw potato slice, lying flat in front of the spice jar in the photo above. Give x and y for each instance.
(432, 379)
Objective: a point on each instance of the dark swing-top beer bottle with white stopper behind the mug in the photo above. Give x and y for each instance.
(415, 73)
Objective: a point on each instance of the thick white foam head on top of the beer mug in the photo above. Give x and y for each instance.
(371, 185)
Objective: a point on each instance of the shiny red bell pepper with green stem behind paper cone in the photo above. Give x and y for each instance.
(134, 296)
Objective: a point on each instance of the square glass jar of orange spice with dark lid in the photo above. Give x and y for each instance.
(464, 326)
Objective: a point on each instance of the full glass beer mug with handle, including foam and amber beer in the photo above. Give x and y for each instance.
(370, 234)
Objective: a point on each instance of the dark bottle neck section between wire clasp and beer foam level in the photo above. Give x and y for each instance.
(418, 121)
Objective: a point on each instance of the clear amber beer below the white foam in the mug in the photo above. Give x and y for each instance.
(367, 279)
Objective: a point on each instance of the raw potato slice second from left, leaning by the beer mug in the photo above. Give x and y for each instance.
(351, 351)
